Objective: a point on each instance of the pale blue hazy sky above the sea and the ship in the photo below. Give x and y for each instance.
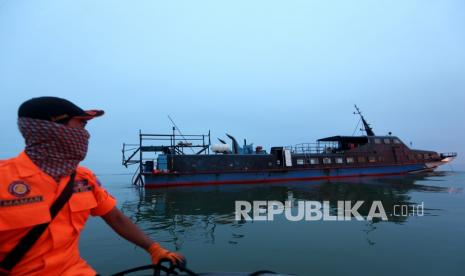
(274, 72)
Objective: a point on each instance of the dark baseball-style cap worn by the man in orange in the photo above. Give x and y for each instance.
(55, 109)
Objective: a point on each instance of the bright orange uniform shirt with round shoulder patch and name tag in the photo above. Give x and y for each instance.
(26, 194)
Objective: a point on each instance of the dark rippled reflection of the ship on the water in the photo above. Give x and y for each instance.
(196, 212)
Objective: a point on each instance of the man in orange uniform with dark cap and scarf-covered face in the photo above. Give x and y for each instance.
(56, 141)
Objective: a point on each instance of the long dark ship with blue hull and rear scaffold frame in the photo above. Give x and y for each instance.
(177, 160)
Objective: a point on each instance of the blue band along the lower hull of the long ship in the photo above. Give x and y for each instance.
(172, 179)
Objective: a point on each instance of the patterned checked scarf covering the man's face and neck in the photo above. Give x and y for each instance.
(55, 148)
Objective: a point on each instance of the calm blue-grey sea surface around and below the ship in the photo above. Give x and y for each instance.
(200, 223)
